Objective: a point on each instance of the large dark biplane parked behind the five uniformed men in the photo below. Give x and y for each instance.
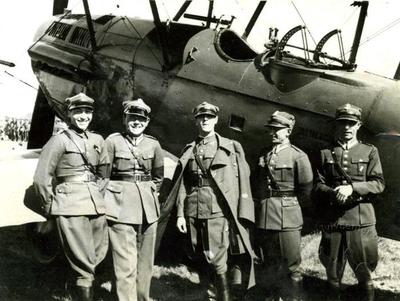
(174, 66)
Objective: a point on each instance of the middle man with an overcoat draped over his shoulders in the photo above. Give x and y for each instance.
(212, 192)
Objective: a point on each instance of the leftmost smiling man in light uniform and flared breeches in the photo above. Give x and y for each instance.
(69, 178)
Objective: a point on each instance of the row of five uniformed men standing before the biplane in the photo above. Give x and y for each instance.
(105, 193)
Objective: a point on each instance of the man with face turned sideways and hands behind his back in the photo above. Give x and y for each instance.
(284, 180)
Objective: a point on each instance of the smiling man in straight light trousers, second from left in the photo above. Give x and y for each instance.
(132, 202)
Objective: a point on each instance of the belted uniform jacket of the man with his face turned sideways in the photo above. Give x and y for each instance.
(292, 173)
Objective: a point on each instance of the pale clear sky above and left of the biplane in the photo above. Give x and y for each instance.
(378, 53)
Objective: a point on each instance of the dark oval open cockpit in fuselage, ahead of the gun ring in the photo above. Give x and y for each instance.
(232, 47)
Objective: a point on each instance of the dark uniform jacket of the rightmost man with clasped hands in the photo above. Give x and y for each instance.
(362, 164)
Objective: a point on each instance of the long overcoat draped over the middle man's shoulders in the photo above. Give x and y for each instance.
(231, 175)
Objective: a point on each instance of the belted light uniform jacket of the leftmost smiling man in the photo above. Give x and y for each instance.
(60, 158)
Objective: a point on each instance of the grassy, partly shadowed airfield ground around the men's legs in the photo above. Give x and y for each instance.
(23, 279)
